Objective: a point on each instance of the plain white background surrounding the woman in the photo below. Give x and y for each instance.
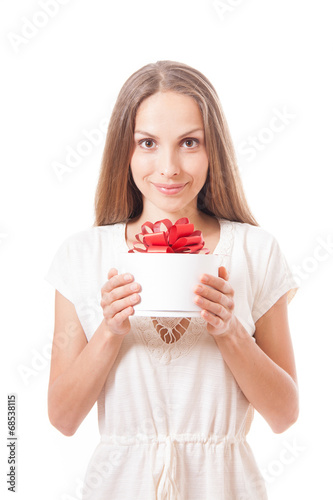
(261, 56)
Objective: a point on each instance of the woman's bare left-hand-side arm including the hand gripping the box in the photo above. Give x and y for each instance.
(79, 368)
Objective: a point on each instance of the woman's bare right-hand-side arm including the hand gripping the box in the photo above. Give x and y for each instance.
(265, 369)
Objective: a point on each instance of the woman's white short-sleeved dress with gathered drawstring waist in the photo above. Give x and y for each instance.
(172, 418)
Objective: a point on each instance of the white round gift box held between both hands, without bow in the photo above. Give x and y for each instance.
(167, 281)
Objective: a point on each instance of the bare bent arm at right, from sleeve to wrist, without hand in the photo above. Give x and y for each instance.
(265, 370)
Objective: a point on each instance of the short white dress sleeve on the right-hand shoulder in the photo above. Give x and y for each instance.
(276, 279)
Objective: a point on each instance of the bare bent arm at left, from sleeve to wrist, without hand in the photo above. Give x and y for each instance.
(78, 368)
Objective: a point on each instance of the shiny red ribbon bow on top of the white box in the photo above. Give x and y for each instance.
(178, 238)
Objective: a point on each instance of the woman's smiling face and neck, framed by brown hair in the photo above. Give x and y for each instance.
(169, 151)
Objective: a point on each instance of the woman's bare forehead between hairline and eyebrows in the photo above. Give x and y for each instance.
(165, 108)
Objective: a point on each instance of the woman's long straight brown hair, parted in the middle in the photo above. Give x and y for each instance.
(117, 198)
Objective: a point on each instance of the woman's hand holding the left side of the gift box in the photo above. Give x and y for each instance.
(119, 295)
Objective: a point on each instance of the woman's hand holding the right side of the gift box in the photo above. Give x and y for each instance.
(217, 303)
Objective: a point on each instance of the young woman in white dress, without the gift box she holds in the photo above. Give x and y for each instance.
(175, 396)
